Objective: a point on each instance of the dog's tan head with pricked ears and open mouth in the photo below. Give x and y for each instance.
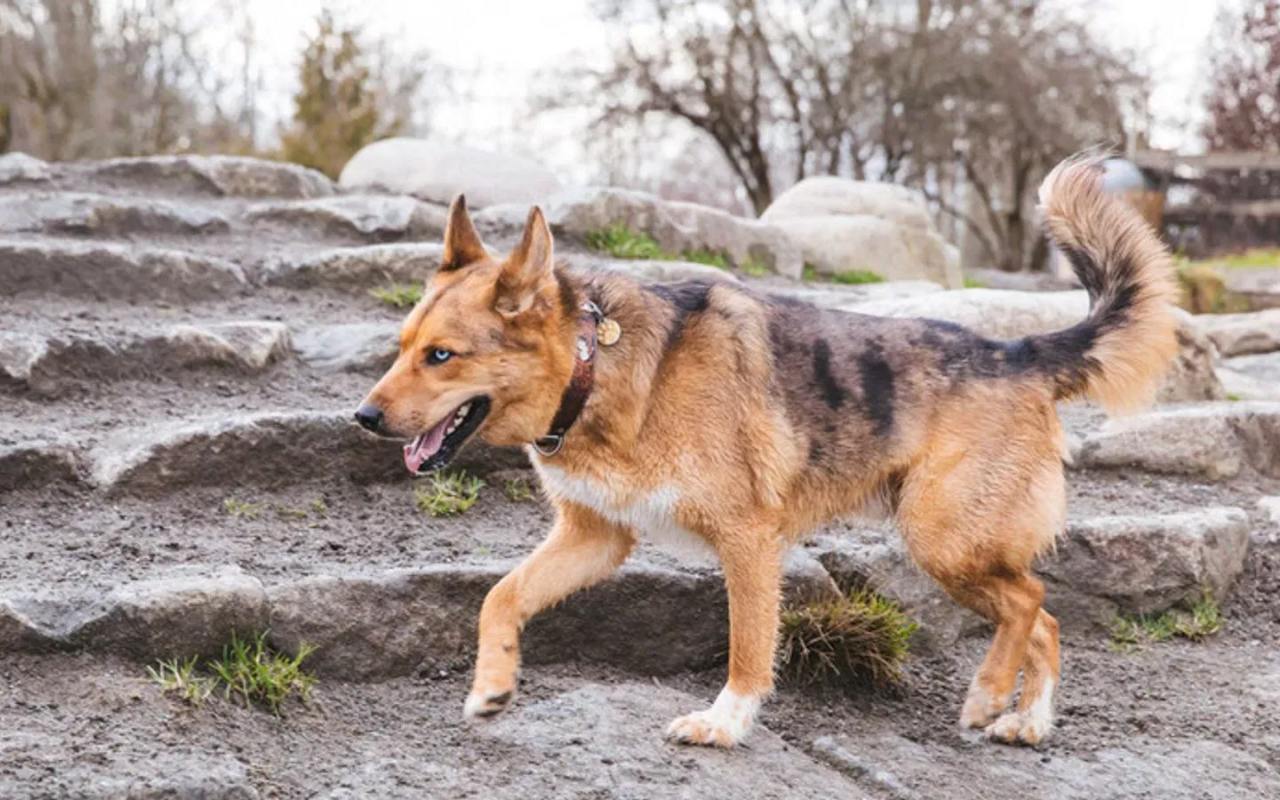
(486, 353)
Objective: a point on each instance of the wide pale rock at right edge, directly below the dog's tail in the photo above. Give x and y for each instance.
(1214, 441)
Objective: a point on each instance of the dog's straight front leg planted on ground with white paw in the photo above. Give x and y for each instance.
(753, 572)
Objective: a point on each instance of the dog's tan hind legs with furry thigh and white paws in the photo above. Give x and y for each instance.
(976, 510)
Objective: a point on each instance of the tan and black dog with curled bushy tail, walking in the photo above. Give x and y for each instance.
(742, 420)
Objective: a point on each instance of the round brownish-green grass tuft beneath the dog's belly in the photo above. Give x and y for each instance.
(862, 638)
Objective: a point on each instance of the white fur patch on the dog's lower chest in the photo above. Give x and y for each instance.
(651, 514)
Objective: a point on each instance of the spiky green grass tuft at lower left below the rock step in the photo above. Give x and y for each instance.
(249, 673)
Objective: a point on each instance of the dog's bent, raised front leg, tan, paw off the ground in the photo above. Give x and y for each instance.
(582, 550)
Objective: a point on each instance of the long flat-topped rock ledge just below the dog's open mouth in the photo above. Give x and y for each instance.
(262, 451)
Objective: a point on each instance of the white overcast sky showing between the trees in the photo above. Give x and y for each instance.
(508, 43)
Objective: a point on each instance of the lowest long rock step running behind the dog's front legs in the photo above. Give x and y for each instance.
(374, 627)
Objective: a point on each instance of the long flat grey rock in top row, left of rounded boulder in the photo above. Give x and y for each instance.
(216, 176)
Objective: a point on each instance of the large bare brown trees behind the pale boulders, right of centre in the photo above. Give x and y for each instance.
(939, 94)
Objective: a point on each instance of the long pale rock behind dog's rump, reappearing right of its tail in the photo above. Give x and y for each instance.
(1009, 316)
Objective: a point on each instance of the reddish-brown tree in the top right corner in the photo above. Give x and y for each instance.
(1245, 66)
